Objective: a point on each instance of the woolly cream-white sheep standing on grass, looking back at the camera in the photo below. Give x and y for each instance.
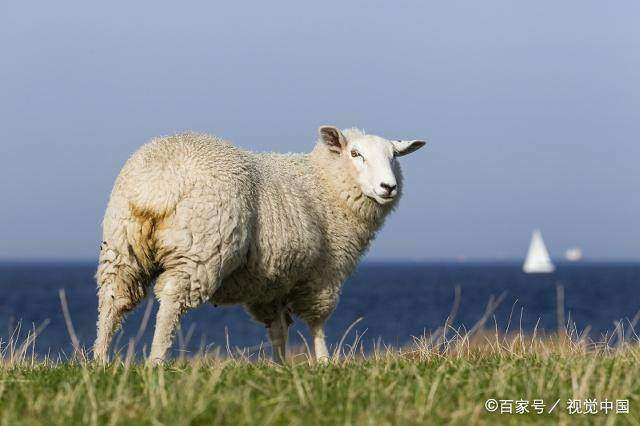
(208, 222)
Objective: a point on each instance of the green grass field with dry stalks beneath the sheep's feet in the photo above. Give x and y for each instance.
(437, 381)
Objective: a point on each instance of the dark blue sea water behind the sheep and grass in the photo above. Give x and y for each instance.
(395, 301)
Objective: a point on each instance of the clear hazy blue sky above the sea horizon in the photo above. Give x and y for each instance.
(531, 110)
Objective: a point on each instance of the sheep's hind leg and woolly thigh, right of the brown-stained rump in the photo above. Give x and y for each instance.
(211, 225)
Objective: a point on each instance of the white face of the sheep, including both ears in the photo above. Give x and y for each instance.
(371, 159)
